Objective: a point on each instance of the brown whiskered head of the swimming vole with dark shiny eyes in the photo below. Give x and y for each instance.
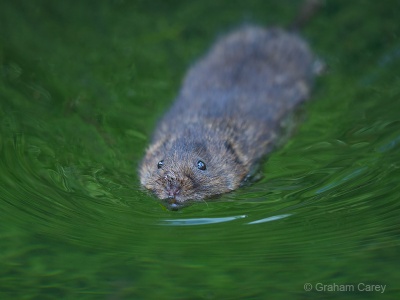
(180, 170)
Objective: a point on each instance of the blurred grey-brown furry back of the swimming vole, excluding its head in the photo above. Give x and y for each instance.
(245, 85)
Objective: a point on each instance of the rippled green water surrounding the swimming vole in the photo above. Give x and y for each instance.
(81, 87)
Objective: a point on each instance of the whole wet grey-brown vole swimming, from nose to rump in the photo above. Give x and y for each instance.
(227, 114)
